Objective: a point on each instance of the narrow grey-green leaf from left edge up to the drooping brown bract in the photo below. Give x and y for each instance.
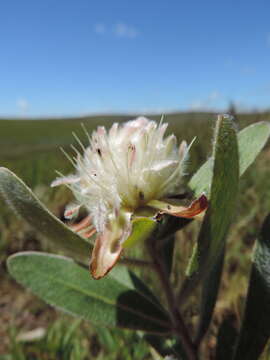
(22, 200)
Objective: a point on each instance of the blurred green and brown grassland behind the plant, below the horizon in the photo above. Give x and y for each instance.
(30, 148)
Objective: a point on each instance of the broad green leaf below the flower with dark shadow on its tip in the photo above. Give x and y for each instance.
(62, 283)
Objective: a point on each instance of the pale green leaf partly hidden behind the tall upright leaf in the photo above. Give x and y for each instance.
(251, 140)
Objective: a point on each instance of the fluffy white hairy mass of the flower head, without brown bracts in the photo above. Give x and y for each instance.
(125, 168)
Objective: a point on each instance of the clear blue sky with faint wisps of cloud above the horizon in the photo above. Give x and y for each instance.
(63, 57)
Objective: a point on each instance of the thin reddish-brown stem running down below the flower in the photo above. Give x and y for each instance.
(179, 326)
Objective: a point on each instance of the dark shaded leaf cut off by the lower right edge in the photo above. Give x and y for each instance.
(255, 330)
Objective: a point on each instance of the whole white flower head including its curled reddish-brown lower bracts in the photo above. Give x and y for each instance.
(130, 167)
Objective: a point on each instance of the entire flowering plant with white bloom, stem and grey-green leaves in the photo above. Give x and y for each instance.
(130, 180)
